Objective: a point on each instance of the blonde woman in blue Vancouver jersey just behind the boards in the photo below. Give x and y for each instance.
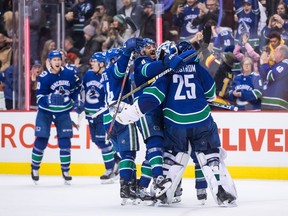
(246, 87)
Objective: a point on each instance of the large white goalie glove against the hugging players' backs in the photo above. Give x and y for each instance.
(127, 113)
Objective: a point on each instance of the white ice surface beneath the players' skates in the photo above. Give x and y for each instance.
(86, 196)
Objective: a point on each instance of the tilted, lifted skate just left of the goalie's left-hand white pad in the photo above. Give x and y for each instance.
(161, 185)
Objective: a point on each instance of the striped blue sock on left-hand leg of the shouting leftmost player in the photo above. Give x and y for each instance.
(38, 151)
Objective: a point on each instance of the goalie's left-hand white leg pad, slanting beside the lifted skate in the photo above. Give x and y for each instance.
(175, 174)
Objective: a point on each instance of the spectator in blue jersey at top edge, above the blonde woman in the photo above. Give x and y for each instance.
(247, 17)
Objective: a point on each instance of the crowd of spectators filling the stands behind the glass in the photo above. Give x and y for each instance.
(243, 59)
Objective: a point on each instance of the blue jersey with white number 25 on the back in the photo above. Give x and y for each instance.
(184, 94)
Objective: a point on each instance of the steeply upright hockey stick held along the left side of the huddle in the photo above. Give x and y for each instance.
(119, 97)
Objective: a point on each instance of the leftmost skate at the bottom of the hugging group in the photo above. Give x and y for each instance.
(127, 192)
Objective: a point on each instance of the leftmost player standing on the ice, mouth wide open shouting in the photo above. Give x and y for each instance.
(57, 93)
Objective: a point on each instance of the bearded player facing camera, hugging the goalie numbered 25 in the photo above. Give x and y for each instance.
(150, 125)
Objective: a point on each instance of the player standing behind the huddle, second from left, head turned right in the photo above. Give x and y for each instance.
(94, 101)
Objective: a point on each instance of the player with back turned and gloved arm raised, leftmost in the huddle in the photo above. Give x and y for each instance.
(123, 137)
